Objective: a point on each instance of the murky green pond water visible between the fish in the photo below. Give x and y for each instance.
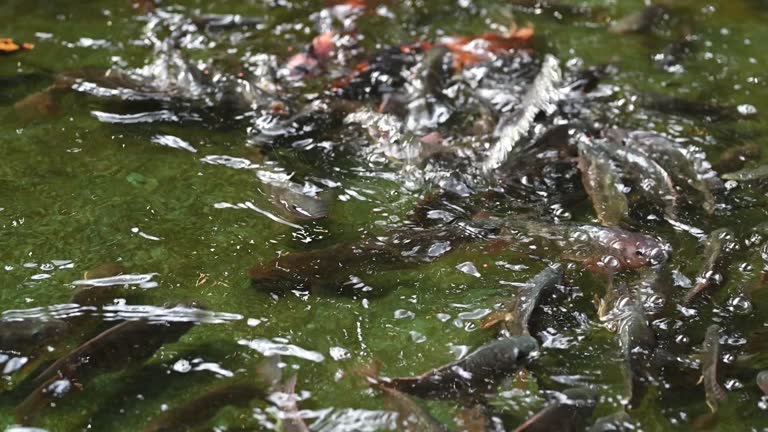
(75, 189)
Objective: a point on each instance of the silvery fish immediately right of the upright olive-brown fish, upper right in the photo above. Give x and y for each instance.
(654, 181)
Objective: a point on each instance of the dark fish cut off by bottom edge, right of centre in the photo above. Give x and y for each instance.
(569, 412)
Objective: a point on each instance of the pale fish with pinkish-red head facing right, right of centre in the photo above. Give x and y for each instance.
(600, 249)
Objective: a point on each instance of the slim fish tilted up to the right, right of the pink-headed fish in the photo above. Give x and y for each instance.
(717, 254)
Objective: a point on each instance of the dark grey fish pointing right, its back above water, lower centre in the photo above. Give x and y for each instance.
(471, 376)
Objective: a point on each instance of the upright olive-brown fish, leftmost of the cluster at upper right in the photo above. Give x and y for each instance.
(601, 180)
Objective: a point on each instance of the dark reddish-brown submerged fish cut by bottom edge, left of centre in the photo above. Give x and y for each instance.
(203, 408)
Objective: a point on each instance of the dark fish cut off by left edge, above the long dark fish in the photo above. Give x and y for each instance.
(26, 336)
